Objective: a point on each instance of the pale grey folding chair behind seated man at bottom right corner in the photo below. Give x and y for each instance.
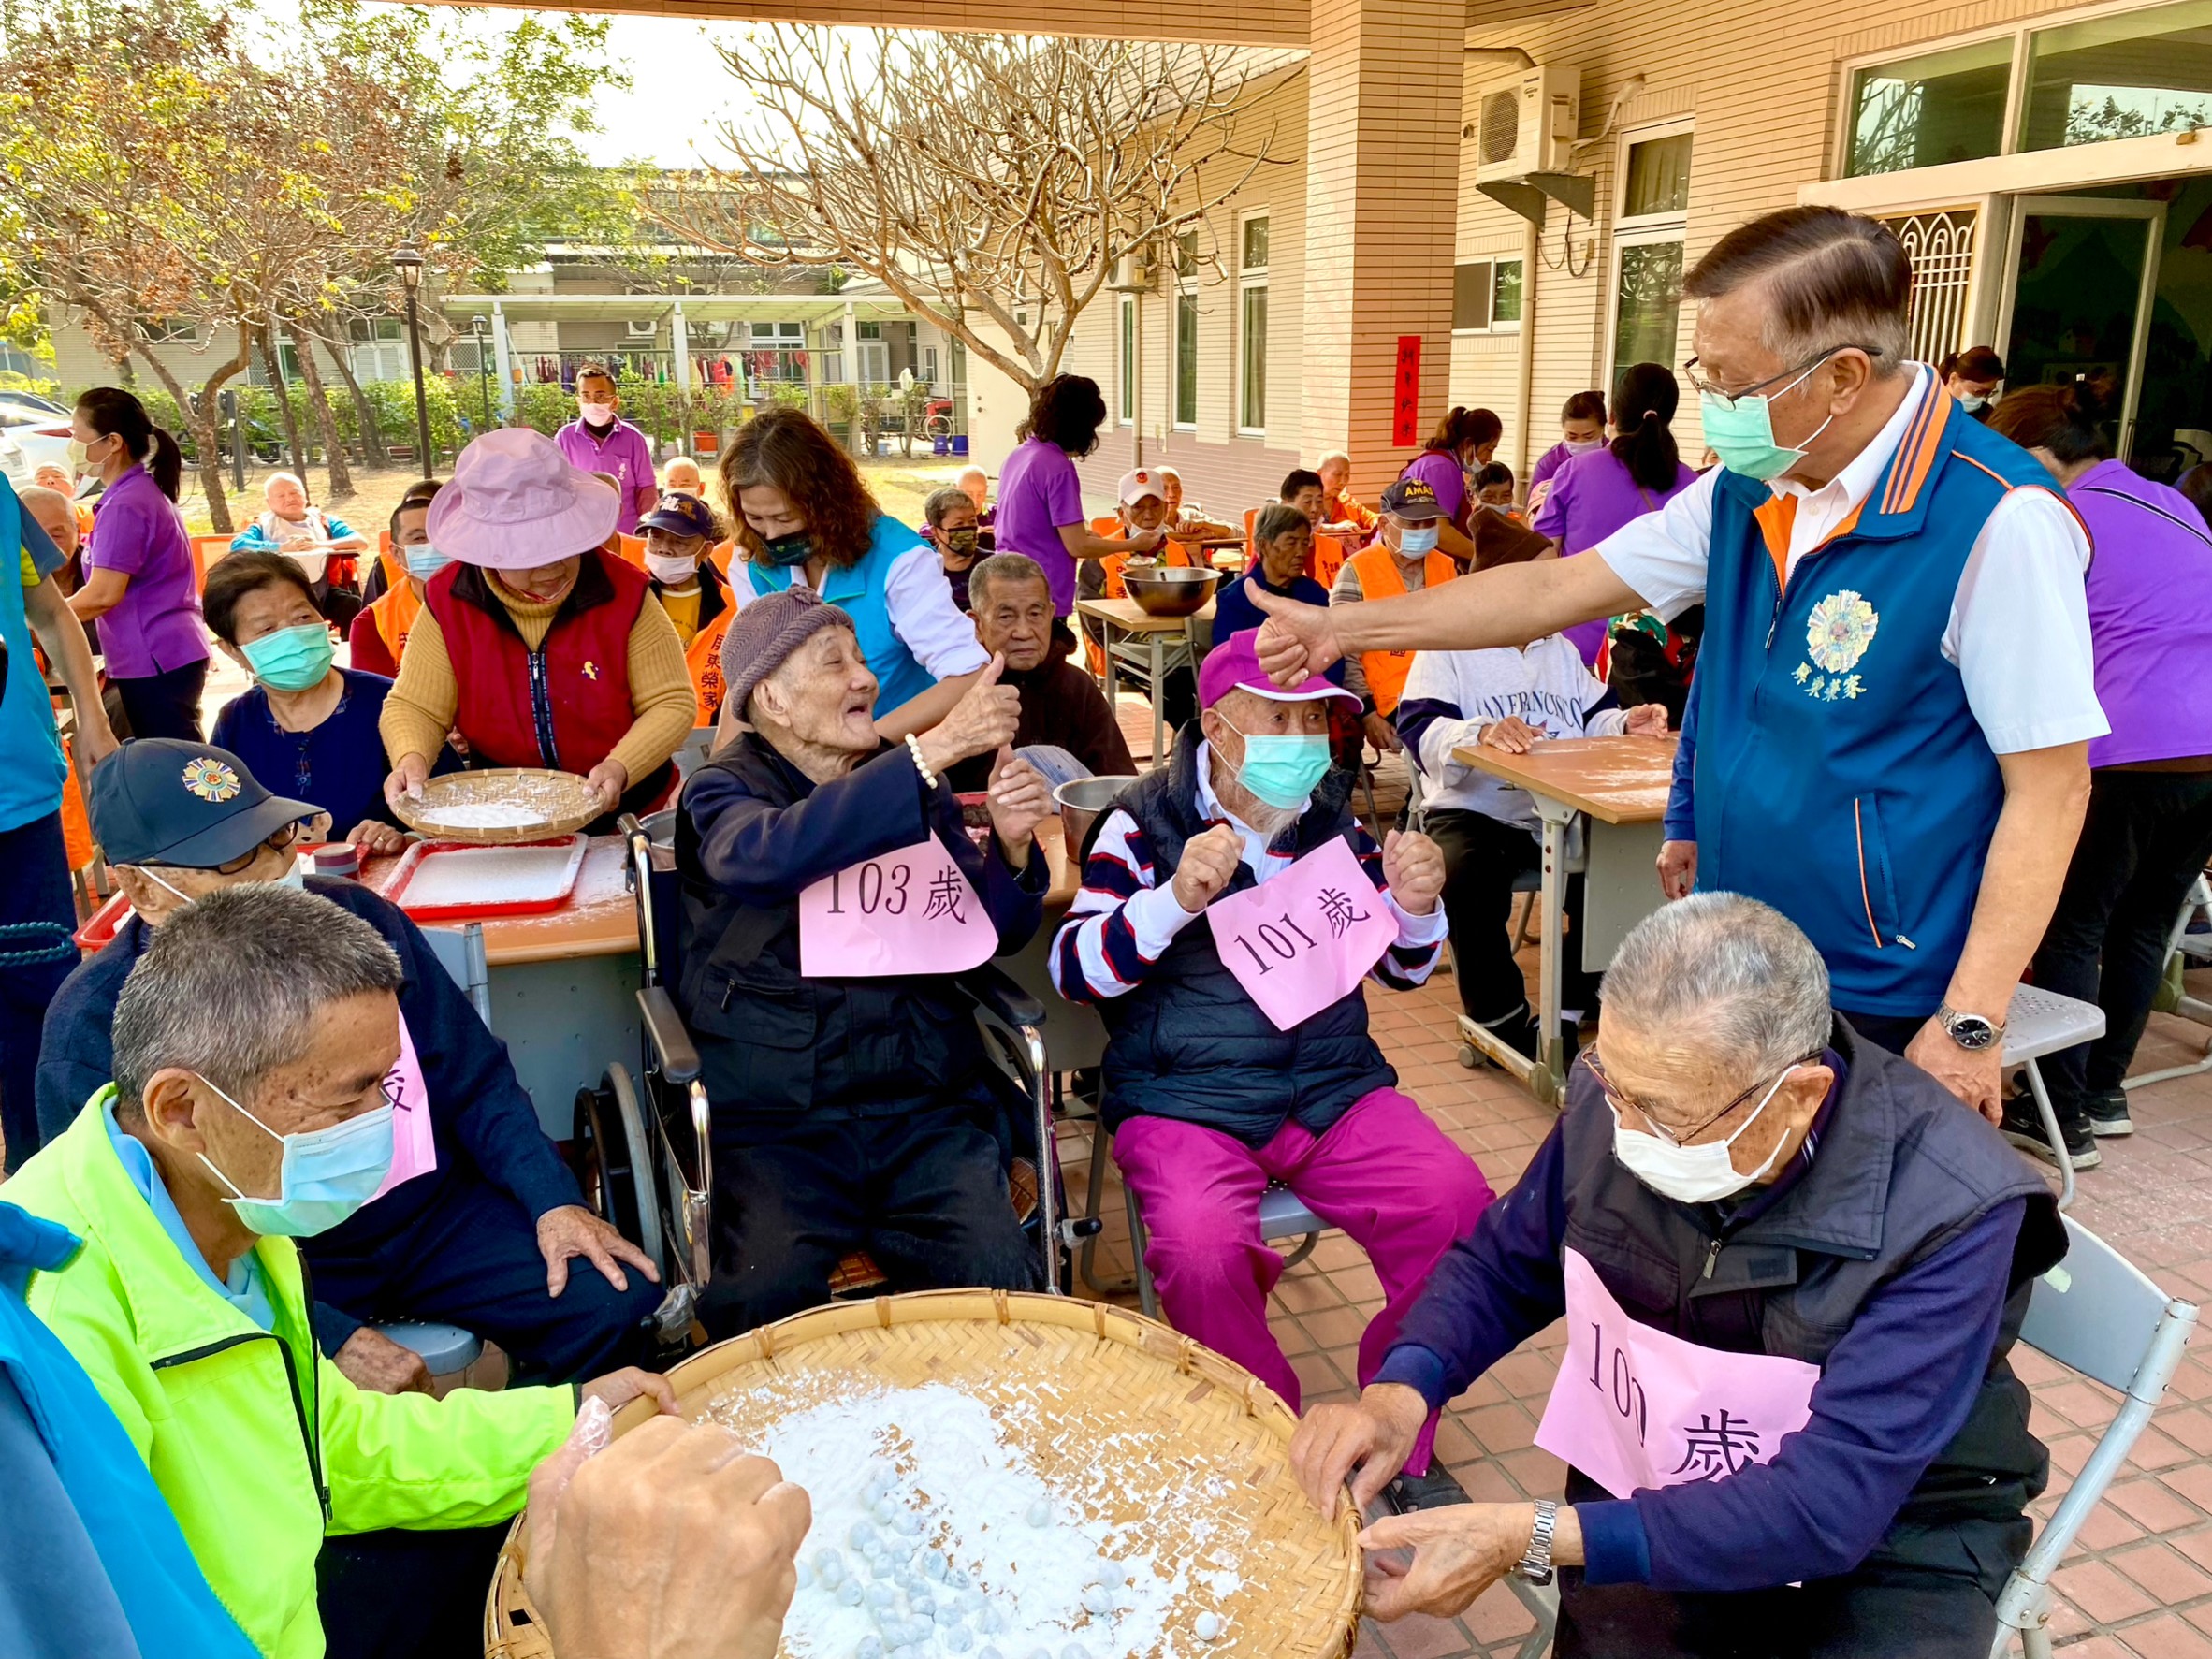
(2103, 1317)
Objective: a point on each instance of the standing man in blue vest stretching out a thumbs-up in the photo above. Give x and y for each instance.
(1895, 689)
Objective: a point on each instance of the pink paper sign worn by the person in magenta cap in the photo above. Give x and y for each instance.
(1304, 939)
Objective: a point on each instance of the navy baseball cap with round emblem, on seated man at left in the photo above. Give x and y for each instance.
(165, 802)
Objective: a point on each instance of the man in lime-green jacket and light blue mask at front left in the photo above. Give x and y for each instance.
(260, 1050)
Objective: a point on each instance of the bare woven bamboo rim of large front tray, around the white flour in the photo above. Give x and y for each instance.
(1067, 1379)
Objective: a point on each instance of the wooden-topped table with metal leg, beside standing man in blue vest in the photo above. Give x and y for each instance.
(1618, 789)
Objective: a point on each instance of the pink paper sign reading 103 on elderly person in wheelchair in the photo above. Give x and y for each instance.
(901, 912)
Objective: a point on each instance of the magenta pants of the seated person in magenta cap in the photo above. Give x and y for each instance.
(1384, 1173)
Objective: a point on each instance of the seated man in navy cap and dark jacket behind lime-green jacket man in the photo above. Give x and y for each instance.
(486, 1224)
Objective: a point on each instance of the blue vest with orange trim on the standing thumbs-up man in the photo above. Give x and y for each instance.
(1841, 775)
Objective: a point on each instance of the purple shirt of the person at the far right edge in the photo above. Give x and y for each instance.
(2149, 616)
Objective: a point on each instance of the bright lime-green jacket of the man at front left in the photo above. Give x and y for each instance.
(253, 1437)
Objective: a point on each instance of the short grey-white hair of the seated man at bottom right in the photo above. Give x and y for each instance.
(1729, 977)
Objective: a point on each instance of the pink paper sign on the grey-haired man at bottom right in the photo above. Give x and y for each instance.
(1638, 1408)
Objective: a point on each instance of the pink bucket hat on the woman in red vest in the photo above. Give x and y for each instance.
(517, 503)
